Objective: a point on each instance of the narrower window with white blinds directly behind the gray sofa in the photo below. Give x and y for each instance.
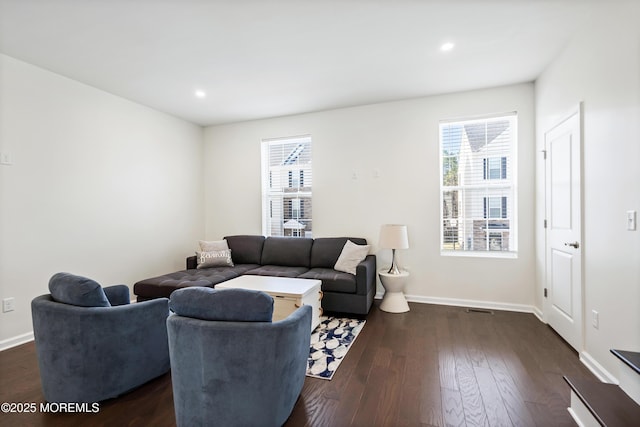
(286, 187)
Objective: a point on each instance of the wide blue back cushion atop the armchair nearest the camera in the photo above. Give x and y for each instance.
(231, 305)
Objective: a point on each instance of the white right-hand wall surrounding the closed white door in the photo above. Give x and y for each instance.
(601, 68)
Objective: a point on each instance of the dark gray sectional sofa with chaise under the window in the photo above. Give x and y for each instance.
(283, 257)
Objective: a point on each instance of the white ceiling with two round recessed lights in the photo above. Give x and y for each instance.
(262, 58)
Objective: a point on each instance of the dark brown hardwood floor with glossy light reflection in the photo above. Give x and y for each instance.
(433, 366)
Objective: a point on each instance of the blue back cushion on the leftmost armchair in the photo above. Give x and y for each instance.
(77, 290)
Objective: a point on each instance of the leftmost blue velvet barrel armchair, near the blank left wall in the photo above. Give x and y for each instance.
(93, 345)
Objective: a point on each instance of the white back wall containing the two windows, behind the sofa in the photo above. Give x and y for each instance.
(399, 142)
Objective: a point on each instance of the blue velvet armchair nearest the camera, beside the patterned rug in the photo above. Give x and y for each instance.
(230, 365)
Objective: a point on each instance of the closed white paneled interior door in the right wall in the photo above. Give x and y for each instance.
(564, 307)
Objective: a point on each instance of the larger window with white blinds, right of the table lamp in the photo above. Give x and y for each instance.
(477, 183)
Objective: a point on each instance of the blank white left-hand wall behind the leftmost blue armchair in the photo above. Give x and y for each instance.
(99, 186)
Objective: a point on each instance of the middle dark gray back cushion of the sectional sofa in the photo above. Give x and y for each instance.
(287, 251)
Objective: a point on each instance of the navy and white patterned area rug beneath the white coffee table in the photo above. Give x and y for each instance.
(330, 342)
